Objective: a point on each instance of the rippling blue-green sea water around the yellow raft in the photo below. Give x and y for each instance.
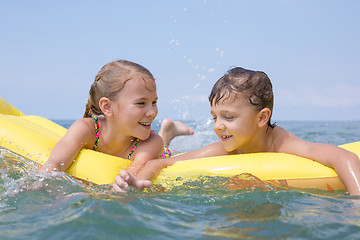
(35, 206)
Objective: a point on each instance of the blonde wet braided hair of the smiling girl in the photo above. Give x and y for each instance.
(110, 80)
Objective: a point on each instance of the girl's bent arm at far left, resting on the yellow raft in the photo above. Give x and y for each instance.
(78, 136)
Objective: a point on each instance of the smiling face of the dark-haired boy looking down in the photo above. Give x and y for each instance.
(236, 123)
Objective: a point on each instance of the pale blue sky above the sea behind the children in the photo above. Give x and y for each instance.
(50, 52)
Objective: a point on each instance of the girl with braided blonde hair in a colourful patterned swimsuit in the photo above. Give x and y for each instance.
(117, 120)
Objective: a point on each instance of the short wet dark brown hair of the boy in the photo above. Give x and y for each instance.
(255, 86)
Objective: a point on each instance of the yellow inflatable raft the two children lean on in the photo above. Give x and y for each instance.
(33, 137)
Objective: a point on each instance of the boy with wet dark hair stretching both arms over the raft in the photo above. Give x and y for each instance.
(241, 105)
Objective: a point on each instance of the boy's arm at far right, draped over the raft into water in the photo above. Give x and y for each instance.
(345, 163)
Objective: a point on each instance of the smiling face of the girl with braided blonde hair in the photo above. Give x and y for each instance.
(135, 107)
